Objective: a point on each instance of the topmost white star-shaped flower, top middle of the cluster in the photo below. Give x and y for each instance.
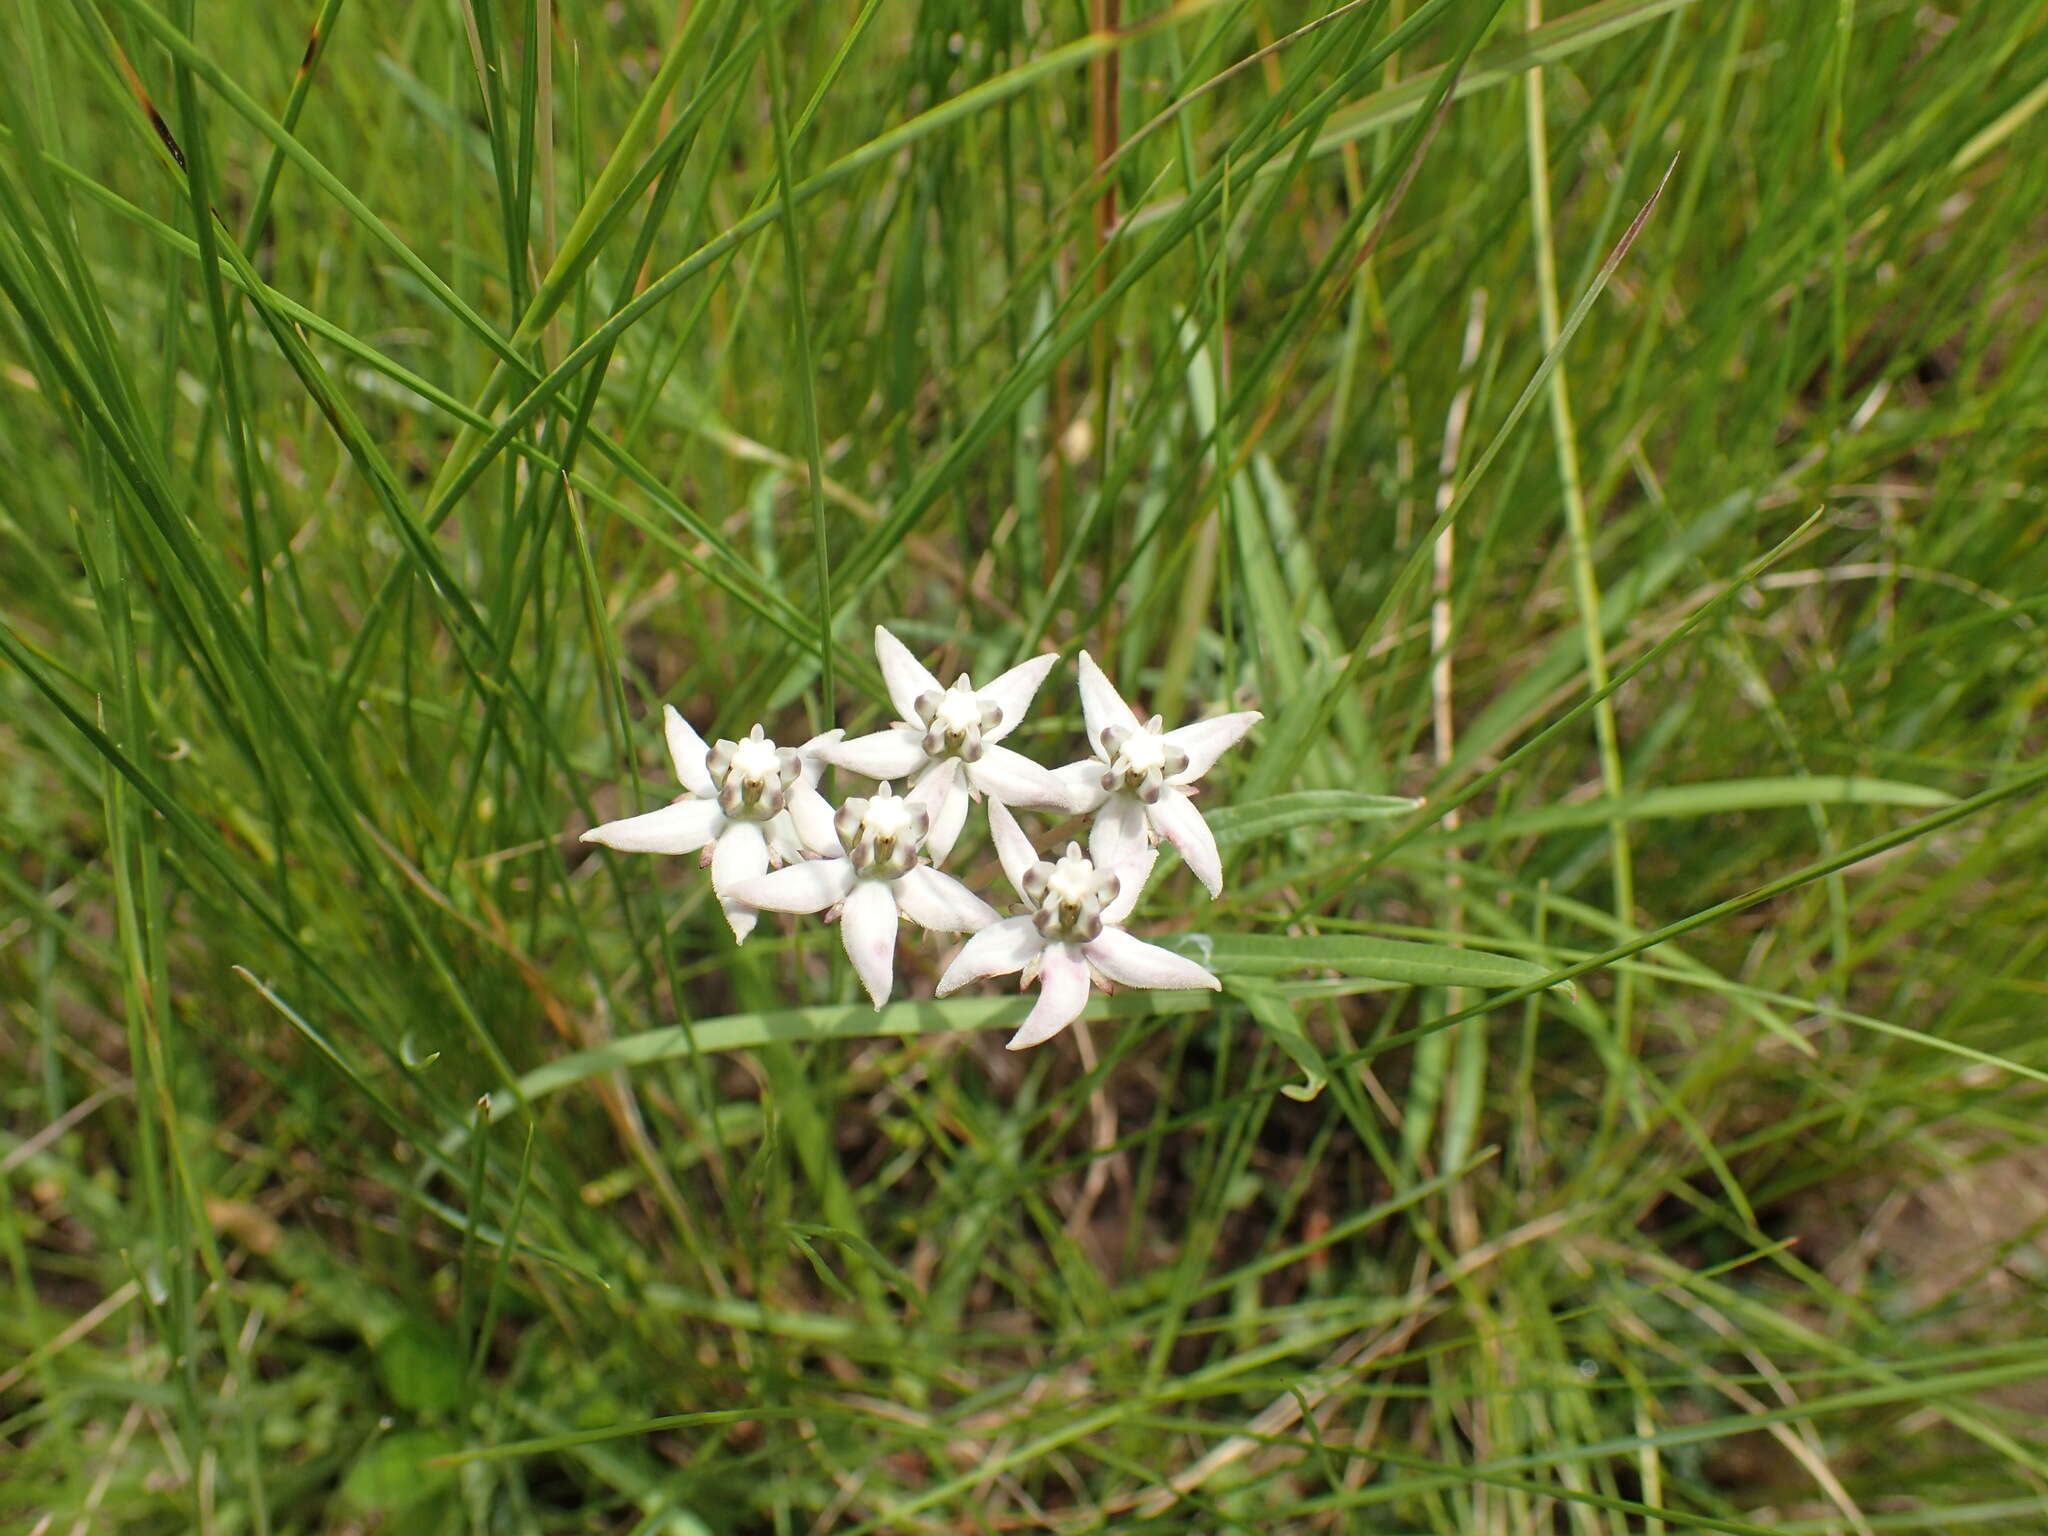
(947, 742)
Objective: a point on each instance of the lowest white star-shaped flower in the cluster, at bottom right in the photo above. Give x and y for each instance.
(1070, 939)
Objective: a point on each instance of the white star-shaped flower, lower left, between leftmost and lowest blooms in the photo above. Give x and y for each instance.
(873, 876)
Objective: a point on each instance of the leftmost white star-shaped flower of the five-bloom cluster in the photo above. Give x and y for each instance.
(751, 806)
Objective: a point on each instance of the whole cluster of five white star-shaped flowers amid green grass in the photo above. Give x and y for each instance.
(775, 845)
